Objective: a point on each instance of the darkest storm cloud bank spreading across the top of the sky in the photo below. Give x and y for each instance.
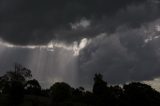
(39, 21)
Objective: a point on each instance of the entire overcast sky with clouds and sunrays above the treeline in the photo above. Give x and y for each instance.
(71, 40)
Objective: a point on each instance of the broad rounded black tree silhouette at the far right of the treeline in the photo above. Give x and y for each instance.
(138, 93)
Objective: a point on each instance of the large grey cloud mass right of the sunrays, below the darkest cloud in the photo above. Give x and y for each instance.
(121, 57)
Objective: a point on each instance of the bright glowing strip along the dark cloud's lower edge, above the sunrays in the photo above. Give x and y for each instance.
(50, 47)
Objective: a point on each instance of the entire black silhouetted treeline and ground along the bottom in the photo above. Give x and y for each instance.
(17, 88)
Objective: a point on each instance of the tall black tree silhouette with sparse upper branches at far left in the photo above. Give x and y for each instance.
(12, 83)
